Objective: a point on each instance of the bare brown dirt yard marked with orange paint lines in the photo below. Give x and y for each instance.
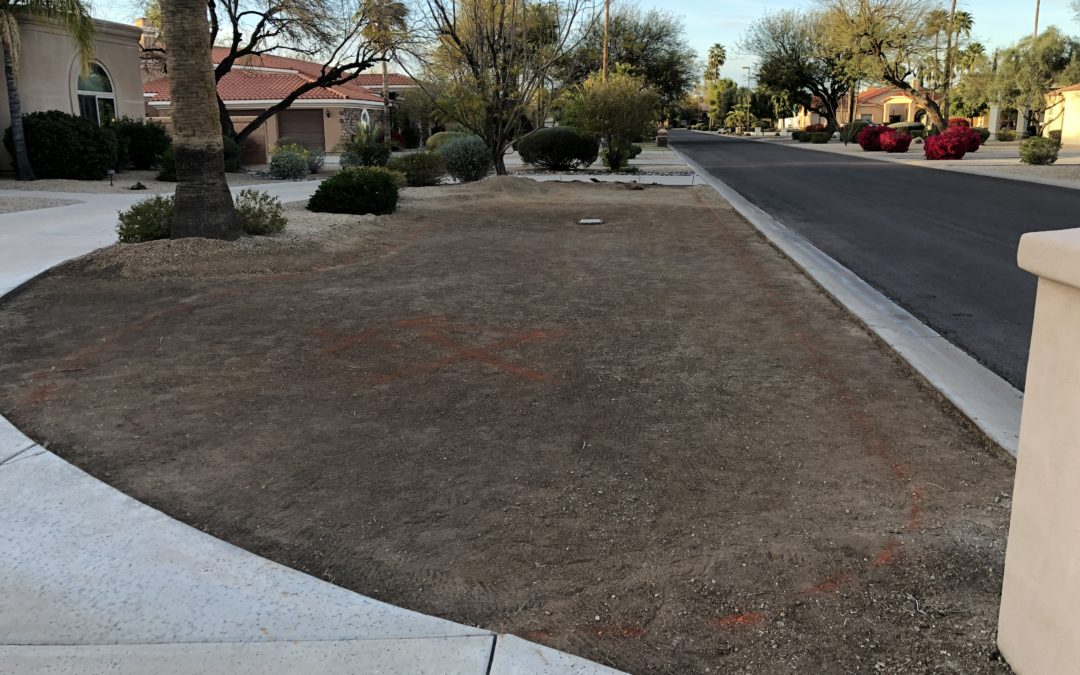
(653, 443)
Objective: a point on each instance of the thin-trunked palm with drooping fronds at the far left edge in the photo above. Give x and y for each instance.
(75, 18)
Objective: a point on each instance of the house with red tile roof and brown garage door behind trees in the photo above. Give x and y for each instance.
(319, 118)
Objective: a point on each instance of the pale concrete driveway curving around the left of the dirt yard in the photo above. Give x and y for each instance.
(93, 582)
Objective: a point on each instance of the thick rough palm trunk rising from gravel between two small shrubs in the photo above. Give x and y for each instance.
(204, 202)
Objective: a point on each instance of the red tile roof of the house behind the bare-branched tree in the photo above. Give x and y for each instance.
(249, 82)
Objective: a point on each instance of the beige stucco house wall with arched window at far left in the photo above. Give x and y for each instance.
(51, 75)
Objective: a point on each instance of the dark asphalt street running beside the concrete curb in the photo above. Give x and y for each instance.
(940, 245)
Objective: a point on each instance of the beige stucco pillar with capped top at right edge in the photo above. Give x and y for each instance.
(1039, 626)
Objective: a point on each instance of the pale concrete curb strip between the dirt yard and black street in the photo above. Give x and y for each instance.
(990, 402)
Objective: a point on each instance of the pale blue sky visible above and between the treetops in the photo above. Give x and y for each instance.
(998, 23)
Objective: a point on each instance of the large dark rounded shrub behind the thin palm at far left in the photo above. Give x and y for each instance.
(66, 146)
